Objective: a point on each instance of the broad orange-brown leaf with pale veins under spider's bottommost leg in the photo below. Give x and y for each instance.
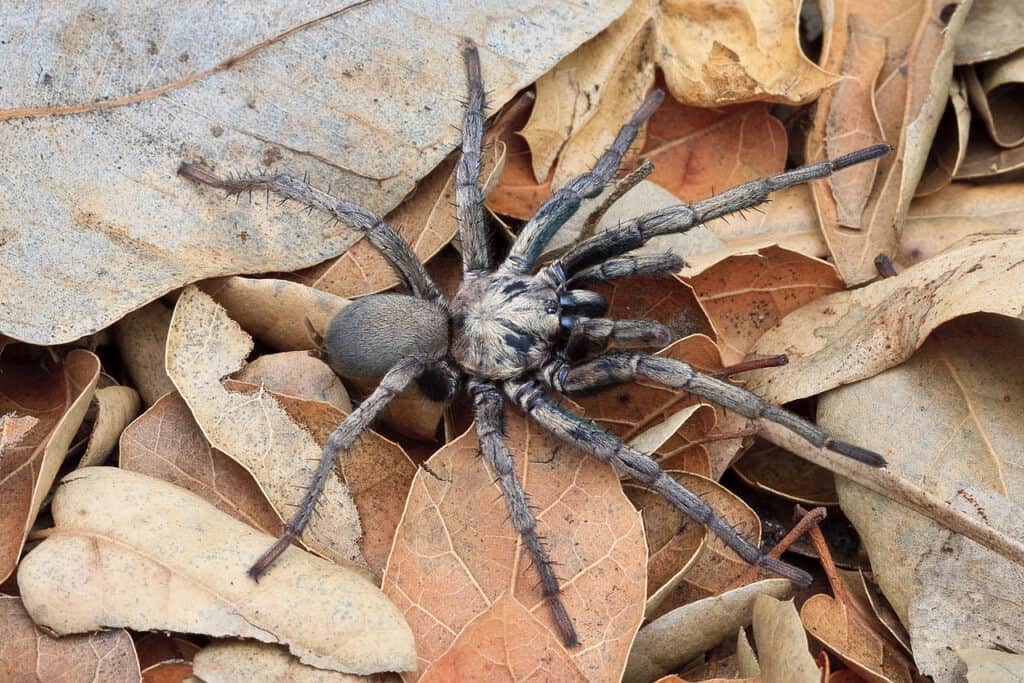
(456, 556)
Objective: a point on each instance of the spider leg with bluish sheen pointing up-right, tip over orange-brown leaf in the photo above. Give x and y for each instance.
(553, 215)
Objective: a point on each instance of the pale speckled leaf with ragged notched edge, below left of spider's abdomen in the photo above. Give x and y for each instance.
(205, 346)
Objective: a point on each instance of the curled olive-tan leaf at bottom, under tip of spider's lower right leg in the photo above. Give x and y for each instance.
(674, 639)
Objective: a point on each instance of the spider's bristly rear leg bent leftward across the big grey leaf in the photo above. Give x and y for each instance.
(381, 236)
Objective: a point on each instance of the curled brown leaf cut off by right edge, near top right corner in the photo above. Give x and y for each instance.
(996, 90)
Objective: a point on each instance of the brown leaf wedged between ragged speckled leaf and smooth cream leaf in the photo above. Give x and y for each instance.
(166, 444)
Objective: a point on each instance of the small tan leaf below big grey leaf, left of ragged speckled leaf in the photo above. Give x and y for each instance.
(142, 338)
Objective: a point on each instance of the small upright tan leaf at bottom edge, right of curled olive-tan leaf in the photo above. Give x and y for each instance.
(782, 644)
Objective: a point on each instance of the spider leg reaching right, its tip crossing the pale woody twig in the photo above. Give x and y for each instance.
(621, 367)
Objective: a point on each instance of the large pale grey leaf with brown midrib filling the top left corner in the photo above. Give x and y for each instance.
(288, 89)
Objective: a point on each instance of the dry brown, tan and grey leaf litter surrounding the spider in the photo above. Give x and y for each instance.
(660, 595)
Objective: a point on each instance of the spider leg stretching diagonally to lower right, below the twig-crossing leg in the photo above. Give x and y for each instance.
(592, 440)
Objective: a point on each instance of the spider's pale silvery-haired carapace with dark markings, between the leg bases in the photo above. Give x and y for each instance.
(503, 326)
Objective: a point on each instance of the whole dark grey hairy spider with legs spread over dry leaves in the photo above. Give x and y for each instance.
(514, 333)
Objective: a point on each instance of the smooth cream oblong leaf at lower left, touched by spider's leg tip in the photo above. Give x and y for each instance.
(133, 551)
